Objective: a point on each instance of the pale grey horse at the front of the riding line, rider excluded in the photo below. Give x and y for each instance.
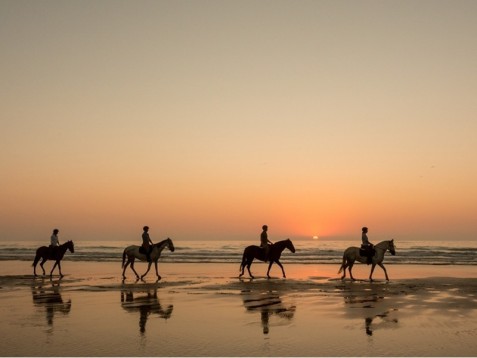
(351, 255)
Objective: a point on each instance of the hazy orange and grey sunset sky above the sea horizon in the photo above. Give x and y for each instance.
(208, 119)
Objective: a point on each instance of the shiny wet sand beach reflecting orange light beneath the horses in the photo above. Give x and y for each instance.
(205, 310)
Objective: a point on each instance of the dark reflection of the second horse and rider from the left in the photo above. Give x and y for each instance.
(145, 305)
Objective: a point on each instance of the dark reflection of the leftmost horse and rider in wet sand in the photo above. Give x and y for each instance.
(50, 298)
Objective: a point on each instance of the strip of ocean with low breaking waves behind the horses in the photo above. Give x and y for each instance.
(307, 251)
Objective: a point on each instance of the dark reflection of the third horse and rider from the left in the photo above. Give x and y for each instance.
(267, 303)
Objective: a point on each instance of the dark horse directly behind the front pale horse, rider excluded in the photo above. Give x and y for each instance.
(256, 252)
